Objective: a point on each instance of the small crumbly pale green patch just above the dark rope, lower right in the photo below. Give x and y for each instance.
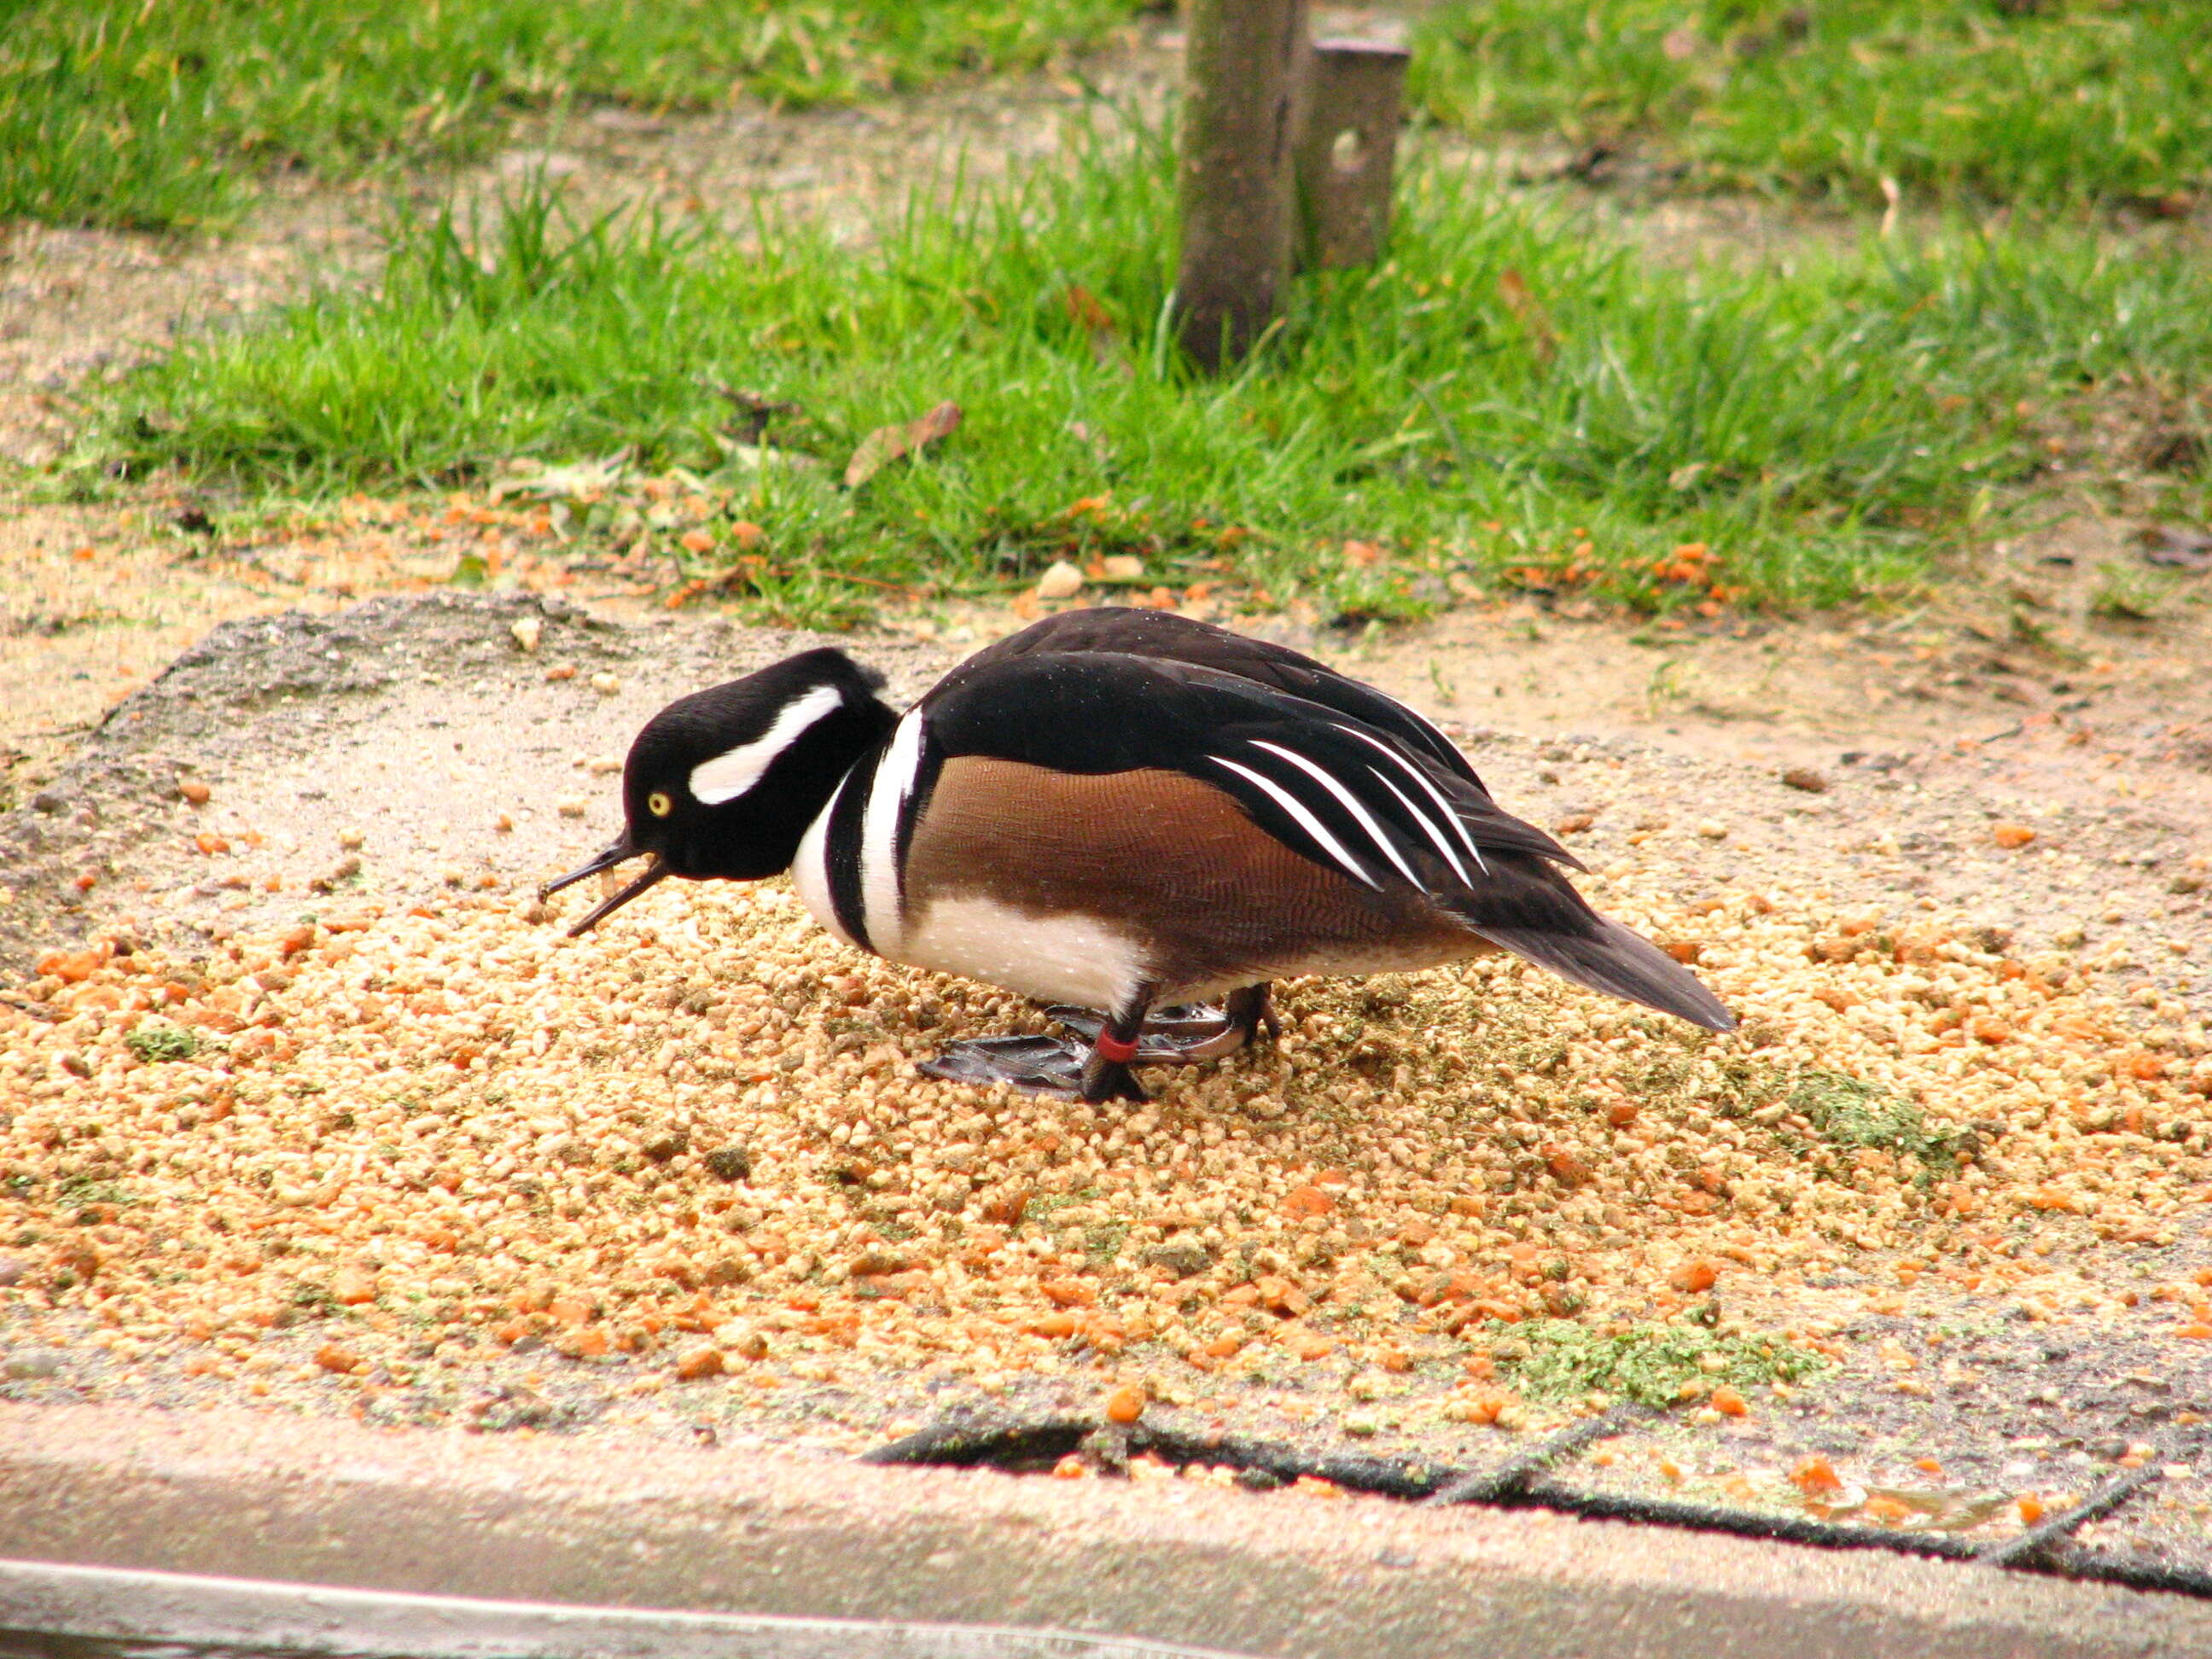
(1556, 1359)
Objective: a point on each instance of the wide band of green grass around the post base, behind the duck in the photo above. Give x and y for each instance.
(1514, 395)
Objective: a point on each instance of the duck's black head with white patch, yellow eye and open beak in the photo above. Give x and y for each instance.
(722, 784)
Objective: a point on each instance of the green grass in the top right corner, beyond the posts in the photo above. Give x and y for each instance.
(2043, 103)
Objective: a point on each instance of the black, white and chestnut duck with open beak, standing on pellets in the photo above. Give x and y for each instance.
(1120, 811)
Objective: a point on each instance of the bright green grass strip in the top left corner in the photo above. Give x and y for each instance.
(160, 114)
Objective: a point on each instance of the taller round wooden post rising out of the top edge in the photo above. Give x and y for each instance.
(1244, 74)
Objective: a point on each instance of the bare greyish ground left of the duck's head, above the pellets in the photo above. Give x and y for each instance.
(395, 735)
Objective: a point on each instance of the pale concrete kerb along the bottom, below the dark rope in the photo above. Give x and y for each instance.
(640, 1525)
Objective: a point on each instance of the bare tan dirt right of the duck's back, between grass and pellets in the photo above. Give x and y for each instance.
(2016, 676)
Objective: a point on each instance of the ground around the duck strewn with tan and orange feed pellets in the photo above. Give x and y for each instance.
(435, 1165)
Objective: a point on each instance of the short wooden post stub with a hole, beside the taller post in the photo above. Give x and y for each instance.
(1348, 152)
